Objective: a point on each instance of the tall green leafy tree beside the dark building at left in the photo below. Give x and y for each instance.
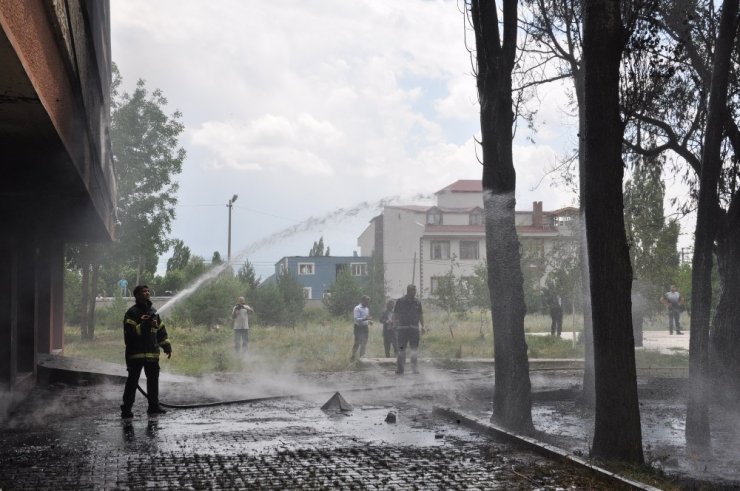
(147, 157)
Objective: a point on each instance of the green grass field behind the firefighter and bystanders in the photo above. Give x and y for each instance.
(322, 343)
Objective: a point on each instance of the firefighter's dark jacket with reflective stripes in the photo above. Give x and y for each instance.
(142, 336)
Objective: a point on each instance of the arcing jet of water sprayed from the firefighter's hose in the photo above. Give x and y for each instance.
(336, 216)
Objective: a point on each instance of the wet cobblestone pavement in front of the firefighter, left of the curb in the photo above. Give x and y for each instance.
(72, 438)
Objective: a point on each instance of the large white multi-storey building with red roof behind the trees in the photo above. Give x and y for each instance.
(419, 244)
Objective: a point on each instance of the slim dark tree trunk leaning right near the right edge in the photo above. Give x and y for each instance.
(697, 411)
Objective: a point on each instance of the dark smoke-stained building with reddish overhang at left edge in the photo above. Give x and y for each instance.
(57, 181)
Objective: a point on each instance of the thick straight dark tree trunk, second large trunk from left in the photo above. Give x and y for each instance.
(617, 433)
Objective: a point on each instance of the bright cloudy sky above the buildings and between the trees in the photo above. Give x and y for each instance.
(303, 109)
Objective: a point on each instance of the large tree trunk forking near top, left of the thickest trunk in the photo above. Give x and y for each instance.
(512, 404)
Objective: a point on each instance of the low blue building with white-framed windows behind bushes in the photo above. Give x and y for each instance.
(317, 273)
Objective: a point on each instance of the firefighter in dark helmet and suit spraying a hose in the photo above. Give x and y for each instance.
(144, 333)
